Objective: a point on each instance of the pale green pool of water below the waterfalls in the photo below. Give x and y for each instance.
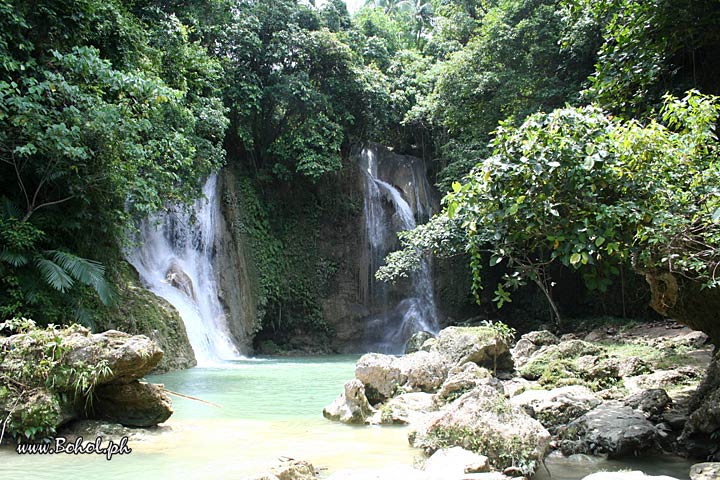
(269, 408)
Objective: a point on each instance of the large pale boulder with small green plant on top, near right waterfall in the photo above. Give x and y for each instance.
(481, 345)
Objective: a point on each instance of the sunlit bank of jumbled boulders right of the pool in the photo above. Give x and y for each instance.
(497, 411)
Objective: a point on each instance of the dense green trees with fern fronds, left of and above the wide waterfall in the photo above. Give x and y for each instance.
(103, 118)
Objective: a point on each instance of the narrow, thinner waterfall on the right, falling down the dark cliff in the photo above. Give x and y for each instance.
(387, 212)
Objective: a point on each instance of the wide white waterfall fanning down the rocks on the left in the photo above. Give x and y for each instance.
(174, 260)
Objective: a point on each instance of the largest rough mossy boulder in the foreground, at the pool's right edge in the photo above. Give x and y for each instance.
(485, 422)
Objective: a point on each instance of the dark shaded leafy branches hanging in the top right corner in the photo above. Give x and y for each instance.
(650, 48)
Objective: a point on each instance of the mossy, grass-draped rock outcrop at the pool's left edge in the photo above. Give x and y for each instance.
(50, 377)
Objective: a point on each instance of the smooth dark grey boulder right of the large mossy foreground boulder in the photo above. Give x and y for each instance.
(611, 428)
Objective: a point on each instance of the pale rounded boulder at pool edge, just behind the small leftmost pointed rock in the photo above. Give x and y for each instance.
(381, 375)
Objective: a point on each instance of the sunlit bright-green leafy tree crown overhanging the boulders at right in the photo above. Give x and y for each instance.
(590, 192)
